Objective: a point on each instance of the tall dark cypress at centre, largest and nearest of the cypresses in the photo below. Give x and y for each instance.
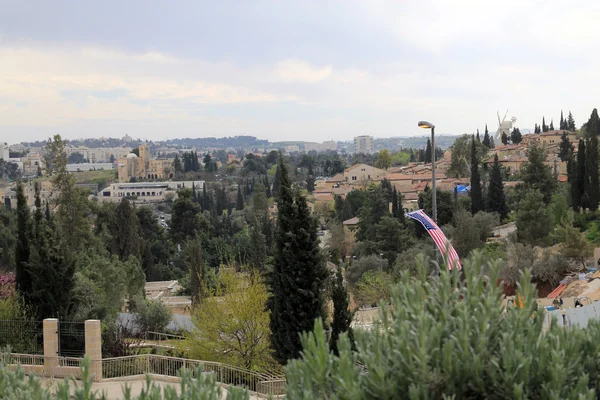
(298, 275)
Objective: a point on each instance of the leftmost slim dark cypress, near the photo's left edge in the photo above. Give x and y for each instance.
(23, 249)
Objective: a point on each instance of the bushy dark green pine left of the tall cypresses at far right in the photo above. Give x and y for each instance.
(536, 174)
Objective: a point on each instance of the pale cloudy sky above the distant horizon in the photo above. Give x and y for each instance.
(291, 70)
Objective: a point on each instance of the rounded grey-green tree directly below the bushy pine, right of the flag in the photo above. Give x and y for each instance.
(533, 219)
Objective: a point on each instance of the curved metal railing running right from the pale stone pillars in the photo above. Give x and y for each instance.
(260, 383)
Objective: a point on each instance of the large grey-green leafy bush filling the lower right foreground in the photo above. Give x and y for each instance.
(452, 338)
